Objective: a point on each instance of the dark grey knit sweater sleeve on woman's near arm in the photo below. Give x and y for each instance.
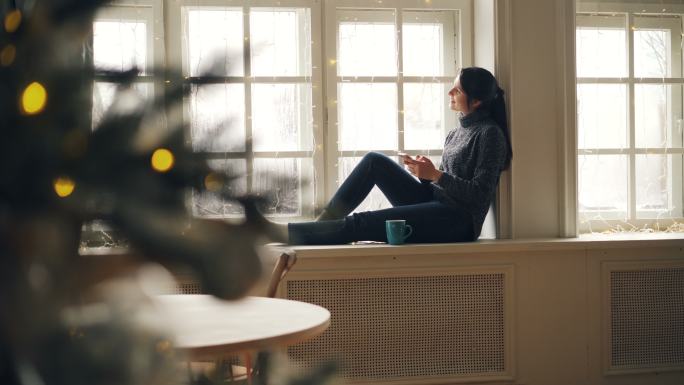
(491, 154)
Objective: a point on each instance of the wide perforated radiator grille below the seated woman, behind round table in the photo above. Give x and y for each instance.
(401, 327)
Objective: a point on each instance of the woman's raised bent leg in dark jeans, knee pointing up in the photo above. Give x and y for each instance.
(375, 169)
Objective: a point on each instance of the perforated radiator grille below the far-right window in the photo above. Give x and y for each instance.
(647, 318)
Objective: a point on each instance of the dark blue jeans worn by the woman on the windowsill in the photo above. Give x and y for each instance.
(413, 201)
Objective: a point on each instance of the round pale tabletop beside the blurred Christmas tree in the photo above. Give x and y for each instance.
(204, 326)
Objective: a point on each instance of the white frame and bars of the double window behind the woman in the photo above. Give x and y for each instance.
(325, 154)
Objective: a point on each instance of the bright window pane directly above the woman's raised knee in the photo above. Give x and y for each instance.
(367, 115)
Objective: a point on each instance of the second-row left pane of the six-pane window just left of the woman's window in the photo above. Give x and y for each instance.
(217, 117)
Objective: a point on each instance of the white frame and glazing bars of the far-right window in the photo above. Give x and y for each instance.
(631, 13)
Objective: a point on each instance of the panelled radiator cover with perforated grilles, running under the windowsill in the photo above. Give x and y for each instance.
(574, 312)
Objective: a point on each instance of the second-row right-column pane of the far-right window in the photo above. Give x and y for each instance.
(655, 108)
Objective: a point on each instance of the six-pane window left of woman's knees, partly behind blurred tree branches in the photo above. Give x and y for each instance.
(256, 114)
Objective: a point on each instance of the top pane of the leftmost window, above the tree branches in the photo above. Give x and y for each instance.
(120, 45)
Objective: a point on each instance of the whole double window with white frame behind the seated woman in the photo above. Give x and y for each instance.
(299, 90)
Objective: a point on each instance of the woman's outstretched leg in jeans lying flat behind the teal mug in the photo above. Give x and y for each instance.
(432, 222)
